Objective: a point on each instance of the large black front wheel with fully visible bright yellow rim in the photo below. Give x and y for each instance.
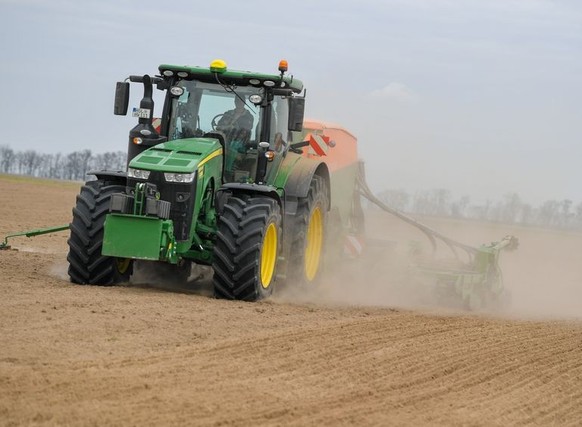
(247, 248)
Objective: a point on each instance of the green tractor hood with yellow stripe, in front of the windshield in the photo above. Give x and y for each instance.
(180, 156)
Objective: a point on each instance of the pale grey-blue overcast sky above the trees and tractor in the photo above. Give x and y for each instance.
(482, 97)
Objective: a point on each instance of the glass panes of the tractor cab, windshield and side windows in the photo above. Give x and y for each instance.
(204, 108)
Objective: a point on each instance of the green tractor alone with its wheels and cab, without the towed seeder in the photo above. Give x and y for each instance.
(218, 179)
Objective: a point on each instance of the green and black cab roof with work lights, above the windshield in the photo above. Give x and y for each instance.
(239, 78)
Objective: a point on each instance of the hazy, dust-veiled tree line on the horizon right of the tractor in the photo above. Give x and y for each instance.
(511, 209)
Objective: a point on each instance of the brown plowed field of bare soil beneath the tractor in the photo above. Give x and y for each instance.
(353, 353)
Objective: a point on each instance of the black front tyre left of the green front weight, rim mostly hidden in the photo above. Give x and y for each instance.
(86, 264)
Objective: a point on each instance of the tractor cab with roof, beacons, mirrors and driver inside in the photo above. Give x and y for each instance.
(252, 115)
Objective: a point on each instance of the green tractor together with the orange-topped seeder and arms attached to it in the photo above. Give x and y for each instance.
(230, 175)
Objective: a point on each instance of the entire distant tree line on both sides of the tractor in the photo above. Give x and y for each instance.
(511, 209)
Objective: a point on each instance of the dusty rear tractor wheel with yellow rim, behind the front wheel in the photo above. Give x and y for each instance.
(308, 234)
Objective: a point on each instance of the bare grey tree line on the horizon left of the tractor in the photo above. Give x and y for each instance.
(73, 166)
